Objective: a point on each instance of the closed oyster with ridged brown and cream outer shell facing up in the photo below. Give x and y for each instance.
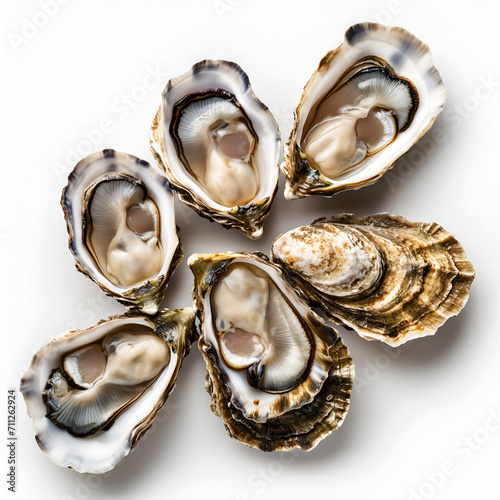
(385, 277)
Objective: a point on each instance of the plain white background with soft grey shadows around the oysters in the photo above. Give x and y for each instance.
(415, 410)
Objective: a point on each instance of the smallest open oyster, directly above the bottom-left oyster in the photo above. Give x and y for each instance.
(121, 223)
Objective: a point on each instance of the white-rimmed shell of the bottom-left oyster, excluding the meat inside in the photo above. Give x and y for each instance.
(100, 451)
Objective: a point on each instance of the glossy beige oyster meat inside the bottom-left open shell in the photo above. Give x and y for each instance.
(97, 382)
